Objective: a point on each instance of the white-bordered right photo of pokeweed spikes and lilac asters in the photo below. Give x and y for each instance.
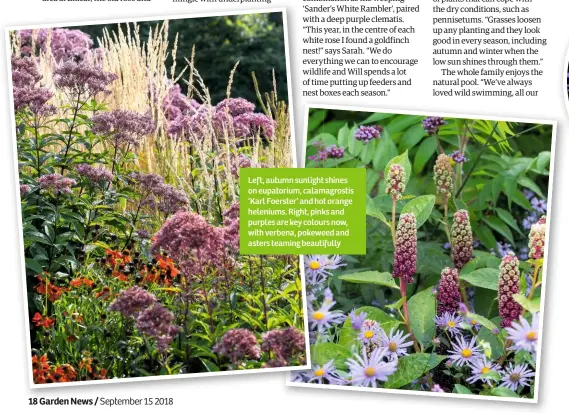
(448, 296)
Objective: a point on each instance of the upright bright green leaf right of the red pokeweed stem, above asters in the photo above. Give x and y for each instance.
(422, 308)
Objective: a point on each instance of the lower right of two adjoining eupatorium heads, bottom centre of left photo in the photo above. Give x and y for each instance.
(156, 322)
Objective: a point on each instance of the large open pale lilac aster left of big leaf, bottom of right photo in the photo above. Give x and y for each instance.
(367, 370)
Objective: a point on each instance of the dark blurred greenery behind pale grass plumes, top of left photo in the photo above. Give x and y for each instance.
(255, 40)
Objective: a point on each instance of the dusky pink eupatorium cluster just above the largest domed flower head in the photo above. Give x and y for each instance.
(155, 194)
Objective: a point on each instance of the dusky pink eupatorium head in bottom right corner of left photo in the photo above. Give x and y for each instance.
(286, 344)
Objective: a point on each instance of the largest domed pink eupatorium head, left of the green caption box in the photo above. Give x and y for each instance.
(192, 242)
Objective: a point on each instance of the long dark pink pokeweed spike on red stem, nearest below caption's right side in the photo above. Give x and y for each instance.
(405, 258)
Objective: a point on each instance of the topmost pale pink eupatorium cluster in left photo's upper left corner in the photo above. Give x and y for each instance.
(65, 43)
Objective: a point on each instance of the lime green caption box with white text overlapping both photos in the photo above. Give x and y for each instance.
(302, 211)
